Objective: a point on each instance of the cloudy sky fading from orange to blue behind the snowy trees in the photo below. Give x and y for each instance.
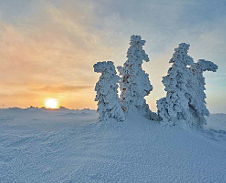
(48, 48)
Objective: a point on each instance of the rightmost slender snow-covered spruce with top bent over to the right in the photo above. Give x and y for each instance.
(197, 103)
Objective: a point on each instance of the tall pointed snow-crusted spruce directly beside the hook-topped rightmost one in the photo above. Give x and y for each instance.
(174, 108)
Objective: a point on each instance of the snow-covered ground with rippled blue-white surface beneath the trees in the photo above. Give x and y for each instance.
(68, 146)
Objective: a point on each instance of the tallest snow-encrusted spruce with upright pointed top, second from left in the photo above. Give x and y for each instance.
(135, 84)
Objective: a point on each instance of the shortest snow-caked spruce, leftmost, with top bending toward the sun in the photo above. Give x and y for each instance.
(107, 94)
